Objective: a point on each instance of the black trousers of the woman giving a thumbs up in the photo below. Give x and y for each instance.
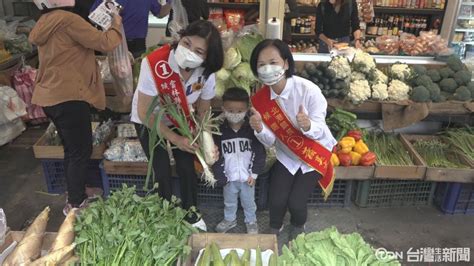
(290, 192)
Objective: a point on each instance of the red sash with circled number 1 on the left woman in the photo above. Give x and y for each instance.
(168, 82)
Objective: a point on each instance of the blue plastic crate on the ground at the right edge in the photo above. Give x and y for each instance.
(455, 198)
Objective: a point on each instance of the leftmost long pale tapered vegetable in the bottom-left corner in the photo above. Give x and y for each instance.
(29, 247)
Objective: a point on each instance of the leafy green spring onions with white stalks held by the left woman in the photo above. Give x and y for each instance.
(201, 135)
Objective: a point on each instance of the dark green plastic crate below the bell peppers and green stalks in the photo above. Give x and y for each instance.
(393, 193)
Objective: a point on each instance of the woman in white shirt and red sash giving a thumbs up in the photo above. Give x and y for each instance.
(289, 112)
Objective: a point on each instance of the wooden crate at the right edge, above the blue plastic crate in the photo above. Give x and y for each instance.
(444, 174)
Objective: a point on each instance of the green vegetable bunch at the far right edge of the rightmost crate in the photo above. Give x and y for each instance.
(461, 141)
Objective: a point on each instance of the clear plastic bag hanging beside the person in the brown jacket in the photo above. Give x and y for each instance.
(121, 68)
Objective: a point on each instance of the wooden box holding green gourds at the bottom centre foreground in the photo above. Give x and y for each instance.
(244, 241)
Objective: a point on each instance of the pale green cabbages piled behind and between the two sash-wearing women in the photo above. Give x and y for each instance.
(236, 71)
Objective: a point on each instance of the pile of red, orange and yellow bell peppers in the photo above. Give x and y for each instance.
(351, 150)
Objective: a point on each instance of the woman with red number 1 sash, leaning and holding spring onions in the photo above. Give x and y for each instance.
(185, 72)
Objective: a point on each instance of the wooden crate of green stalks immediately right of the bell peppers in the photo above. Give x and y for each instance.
(408, 172)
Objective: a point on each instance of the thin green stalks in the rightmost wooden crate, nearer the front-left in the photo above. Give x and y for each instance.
(437, 154)
